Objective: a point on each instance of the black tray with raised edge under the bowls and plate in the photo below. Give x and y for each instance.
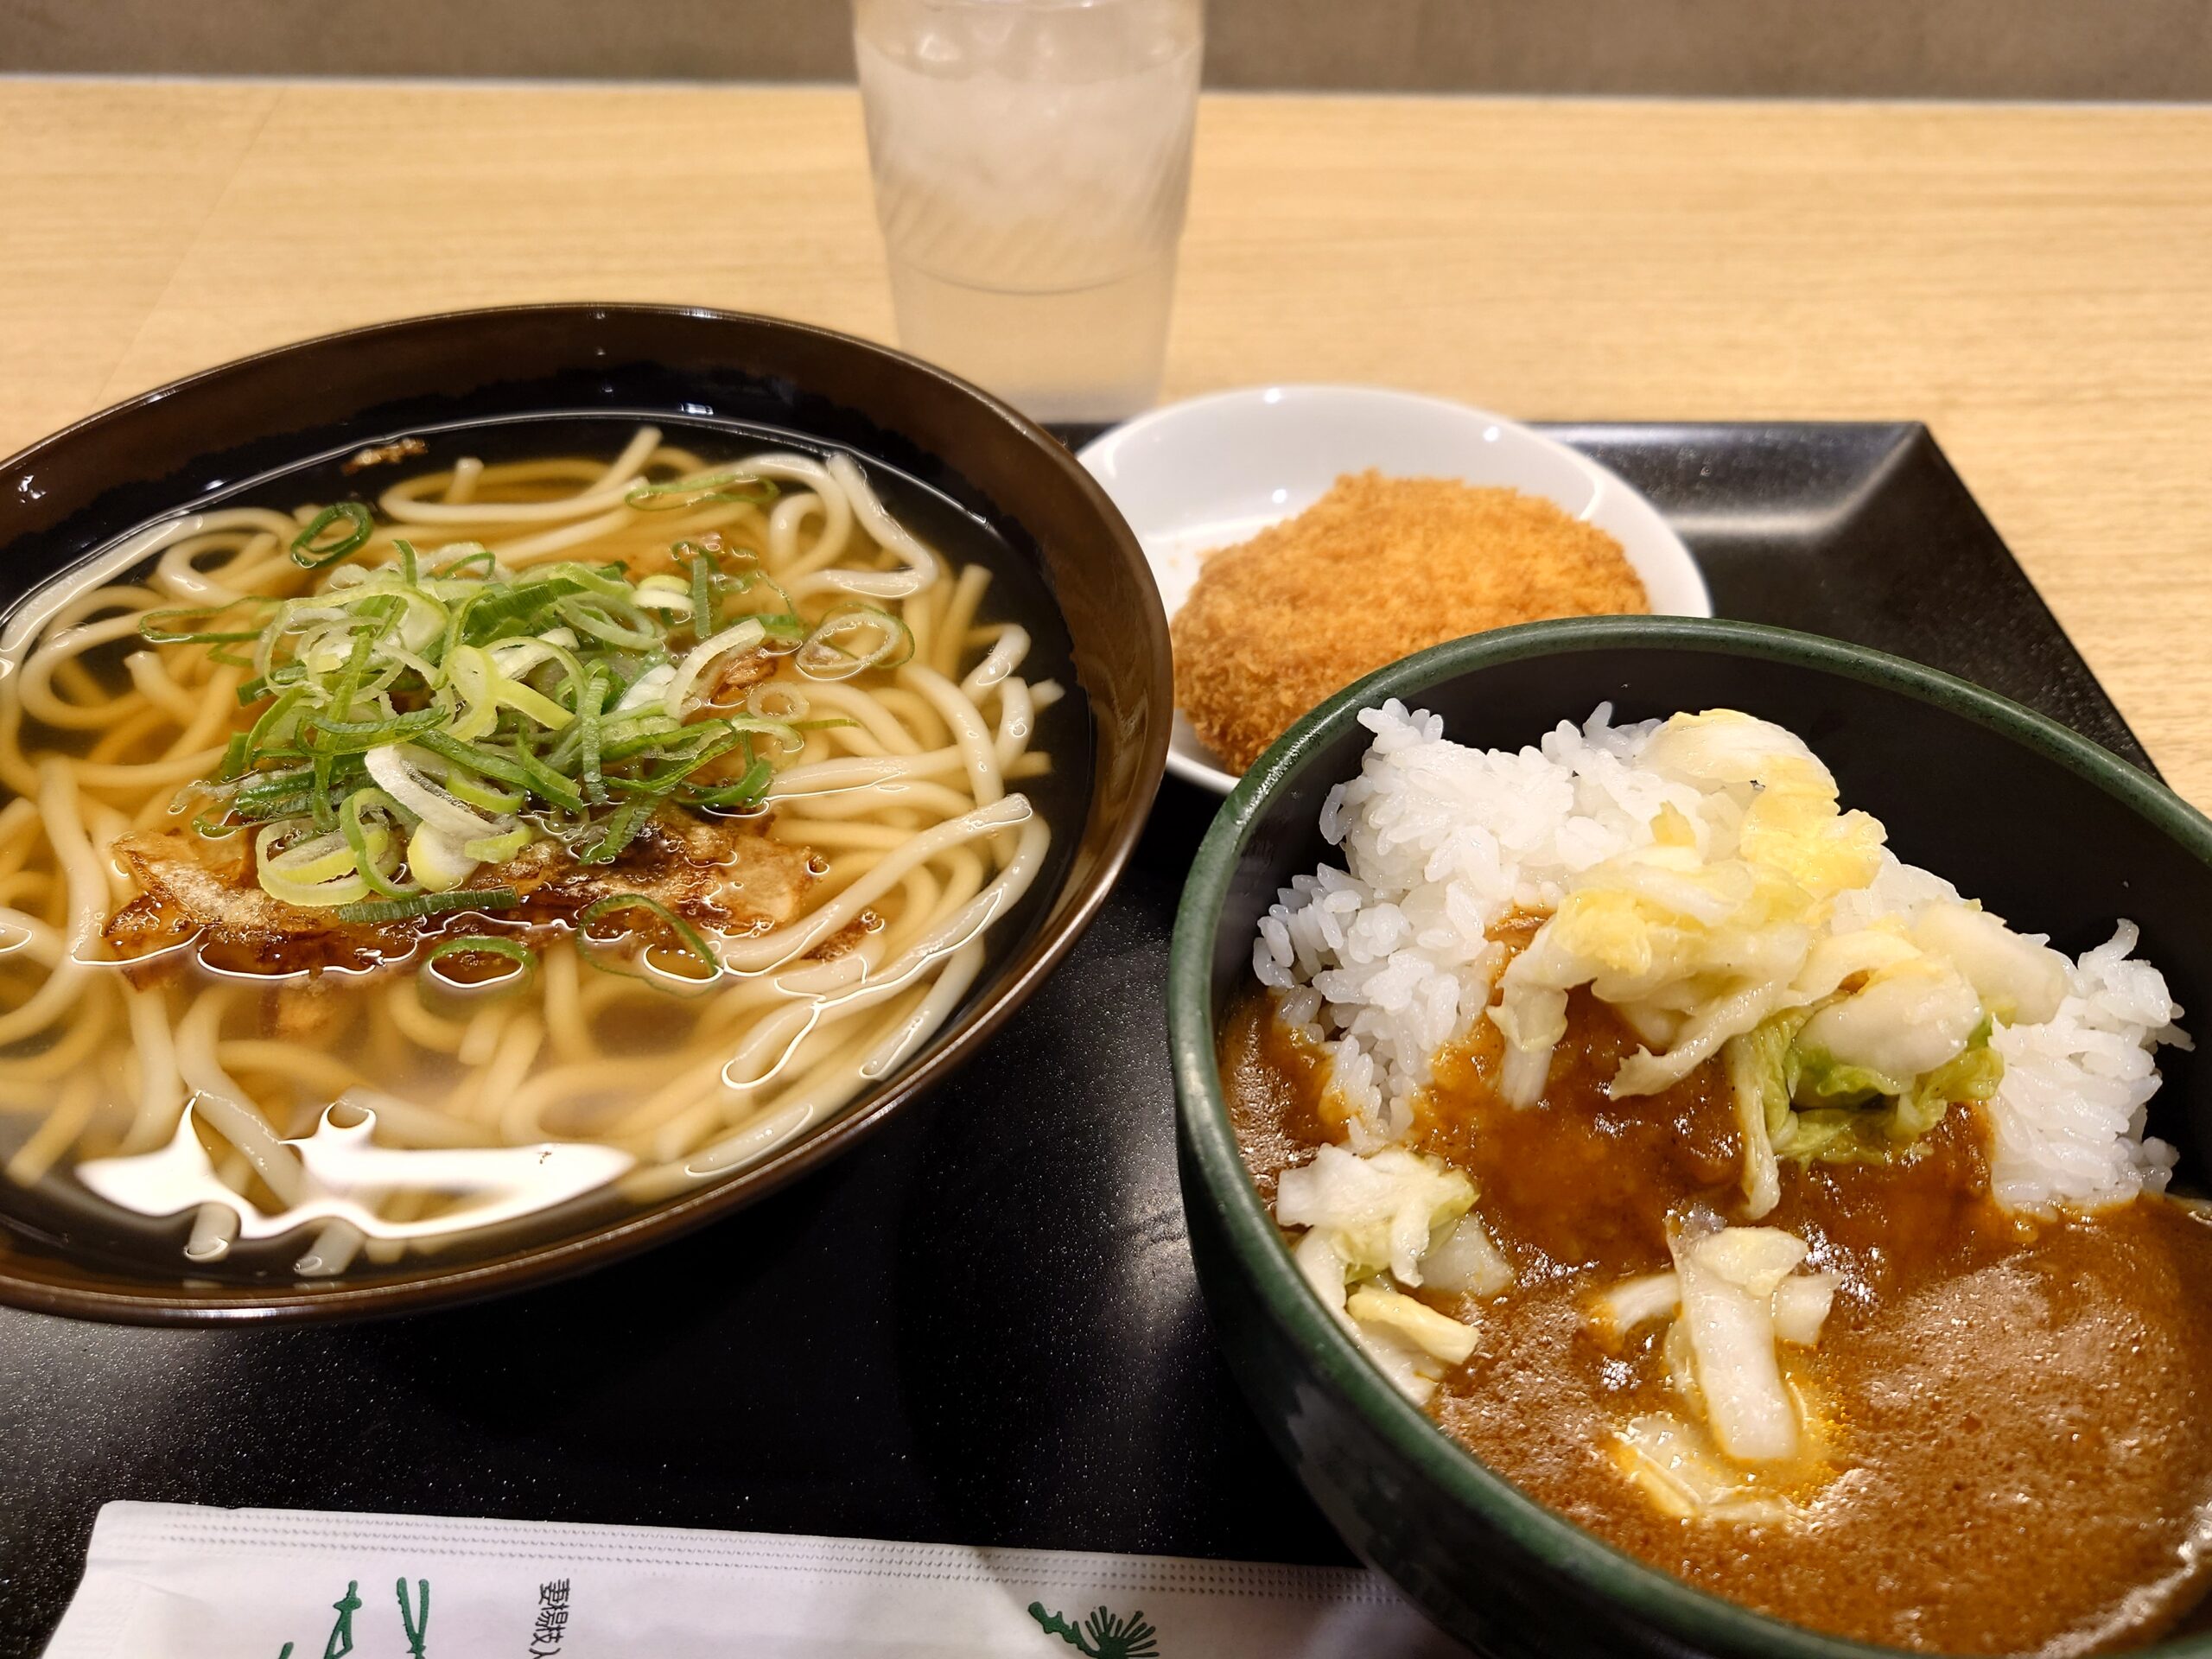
(981, 1326)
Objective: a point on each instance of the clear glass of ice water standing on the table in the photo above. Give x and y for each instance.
(1032, 163)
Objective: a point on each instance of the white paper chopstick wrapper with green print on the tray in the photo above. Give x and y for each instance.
(178, 1583)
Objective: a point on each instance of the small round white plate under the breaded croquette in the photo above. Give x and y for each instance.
(1218, 470)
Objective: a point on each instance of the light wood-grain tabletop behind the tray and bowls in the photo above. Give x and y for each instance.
(2034, 282)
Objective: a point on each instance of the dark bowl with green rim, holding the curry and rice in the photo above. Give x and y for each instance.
(2023, 813)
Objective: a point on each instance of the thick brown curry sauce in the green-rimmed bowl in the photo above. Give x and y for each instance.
(2023, 1415)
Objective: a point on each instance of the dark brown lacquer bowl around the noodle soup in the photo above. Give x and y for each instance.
(207, 439)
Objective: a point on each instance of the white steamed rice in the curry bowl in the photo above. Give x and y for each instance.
(1388, 959)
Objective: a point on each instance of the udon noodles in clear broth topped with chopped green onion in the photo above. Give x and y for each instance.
(488, 839)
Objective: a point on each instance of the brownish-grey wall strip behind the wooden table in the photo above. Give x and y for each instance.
(2120, 50)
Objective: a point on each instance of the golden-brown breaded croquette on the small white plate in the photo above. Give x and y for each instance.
(1373, 572)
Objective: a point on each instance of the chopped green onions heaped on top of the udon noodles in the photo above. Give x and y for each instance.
(514, 685)
